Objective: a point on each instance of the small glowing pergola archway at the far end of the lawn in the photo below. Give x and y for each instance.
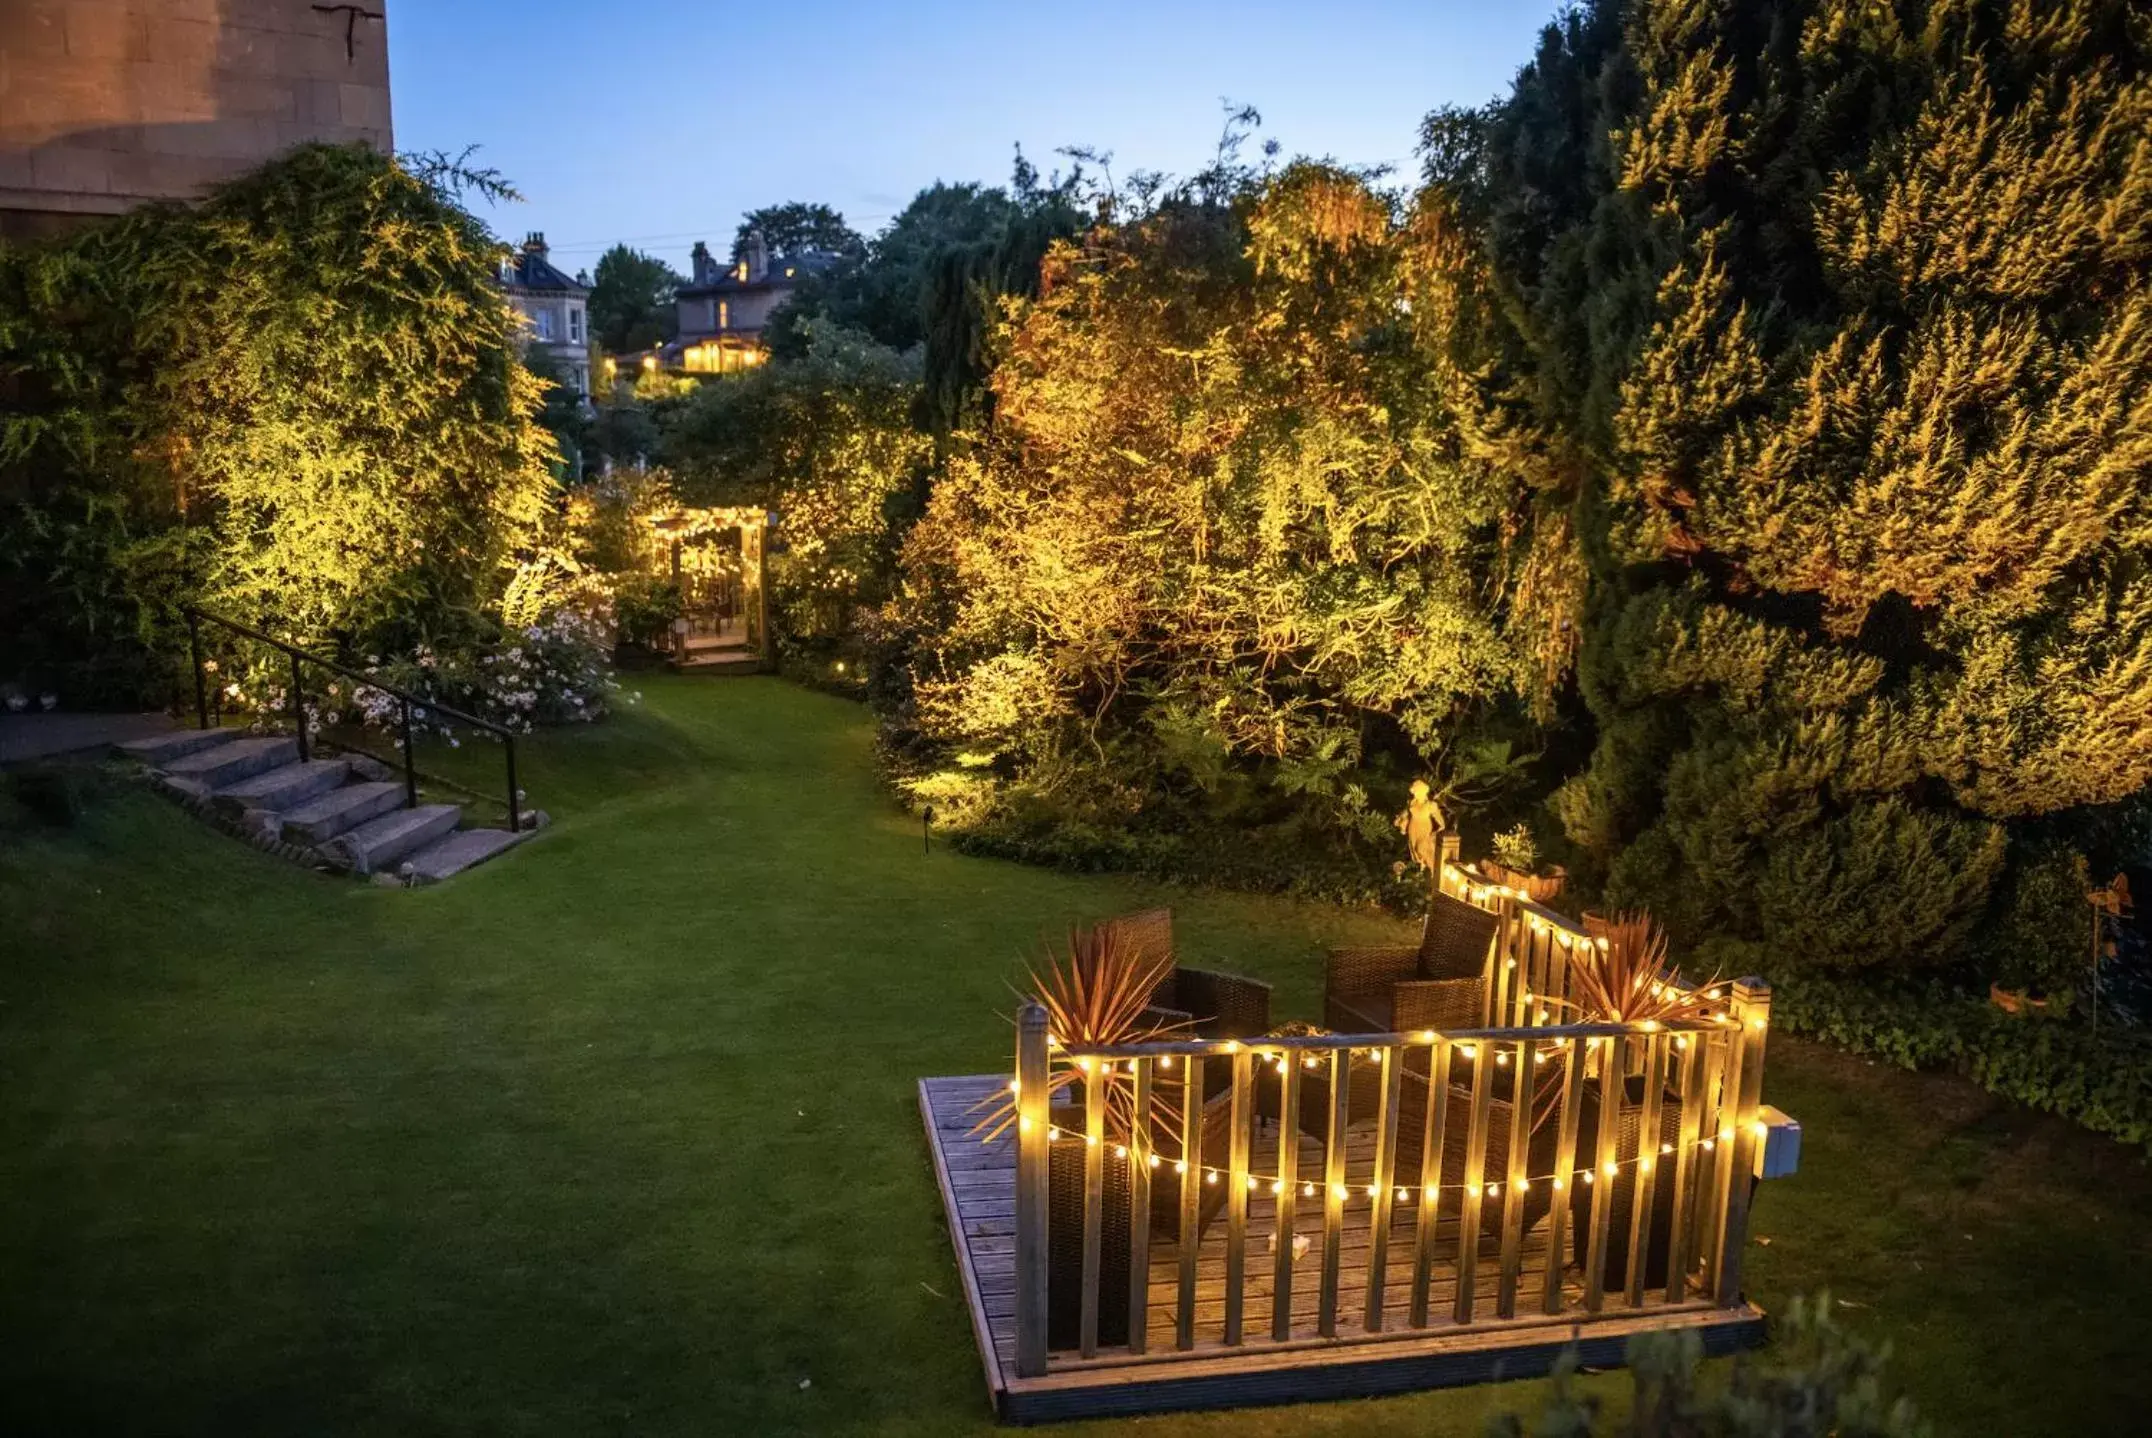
(720, 561)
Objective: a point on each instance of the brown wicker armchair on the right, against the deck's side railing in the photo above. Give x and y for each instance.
(1439, 985)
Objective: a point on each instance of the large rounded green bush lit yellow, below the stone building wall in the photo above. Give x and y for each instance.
(300, 399)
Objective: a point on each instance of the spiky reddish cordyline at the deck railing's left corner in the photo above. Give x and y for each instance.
(1099, 993)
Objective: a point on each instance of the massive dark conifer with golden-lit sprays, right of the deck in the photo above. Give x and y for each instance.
(1837, 326)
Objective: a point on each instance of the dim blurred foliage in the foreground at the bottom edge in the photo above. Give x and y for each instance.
(1817, 1381)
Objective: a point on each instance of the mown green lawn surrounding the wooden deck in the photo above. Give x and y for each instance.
(619, 1133)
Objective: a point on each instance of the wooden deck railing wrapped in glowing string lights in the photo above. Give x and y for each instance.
(1445, 1181)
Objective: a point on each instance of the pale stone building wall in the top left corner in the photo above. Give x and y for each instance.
(107, 104)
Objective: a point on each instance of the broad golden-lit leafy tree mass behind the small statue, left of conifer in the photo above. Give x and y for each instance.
(1221, 554)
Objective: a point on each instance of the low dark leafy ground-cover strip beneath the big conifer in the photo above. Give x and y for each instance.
(2097, 1080)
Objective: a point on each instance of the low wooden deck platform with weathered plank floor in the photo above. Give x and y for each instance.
(978, 1183)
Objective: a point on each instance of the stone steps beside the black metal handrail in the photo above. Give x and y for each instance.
(337, 810)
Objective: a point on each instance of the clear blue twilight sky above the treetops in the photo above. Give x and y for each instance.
(662, 122)
